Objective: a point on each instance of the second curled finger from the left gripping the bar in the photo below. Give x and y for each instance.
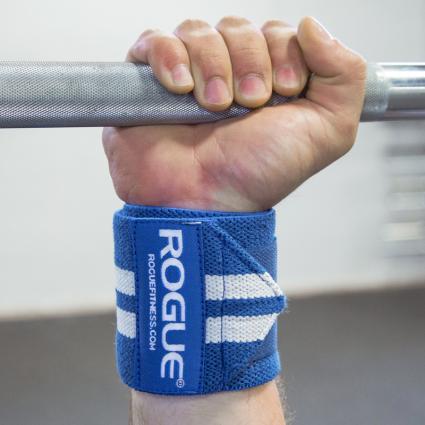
(210, 62)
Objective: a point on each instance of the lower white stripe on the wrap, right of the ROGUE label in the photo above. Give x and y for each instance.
(238, 328)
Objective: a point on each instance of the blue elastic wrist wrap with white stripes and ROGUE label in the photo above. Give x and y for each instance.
(197, 300)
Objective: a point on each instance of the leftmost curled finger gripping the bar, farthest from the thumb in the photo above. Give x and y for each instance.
(167, 56)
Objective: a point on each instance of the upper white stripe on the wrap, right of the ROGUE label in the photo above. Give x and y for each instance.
(241, 286)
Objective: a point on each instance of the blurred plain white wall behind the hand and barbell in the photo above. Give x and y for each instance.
(56, 196)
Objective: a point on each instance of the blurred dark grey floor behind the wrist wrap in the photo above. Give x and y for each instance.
(354, 359)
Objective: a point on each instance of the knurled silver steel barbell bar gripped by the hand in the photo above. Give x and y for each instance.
(62, 94)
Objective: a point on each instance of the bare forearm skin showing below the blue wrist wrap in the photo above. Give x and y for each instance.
(255, 406)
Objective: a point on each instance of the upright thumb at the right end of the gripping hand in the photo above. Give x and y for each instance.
(338, 73)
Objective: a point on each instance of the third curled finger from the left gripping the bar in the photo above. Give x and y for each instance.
(251, 63)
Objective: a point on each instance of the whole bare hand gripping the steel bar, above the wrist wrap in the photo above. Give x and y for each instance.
(249, 163)
